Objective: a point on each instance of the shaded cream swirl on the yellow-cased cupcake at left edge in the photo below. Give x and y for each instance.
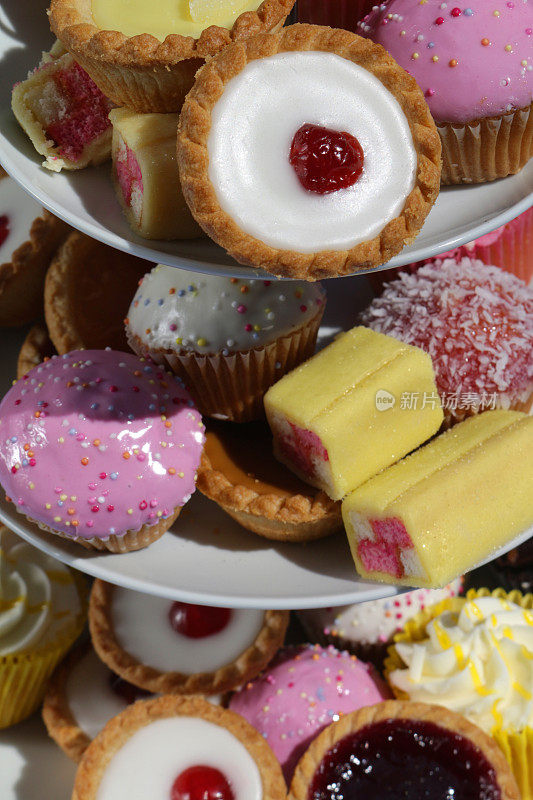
(38, 596)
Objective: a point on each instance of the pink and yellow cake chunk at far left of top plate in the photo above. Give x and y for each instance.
(64, 113)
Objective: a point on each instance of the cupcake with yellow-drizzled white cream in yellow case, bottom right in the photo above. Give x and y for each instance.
(493, 631)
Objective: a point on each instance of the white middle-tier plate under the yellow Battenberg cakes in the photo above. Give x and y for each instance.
(207, 558)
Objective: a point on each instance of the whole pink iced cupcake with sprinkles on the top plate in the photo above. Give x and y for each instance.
(474, 65)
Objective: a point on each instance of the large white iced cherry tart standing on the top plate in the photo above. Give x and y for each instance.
(334, 162)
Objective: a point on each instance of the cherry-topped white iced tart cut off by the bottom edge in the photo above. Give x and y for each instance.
(179, 748)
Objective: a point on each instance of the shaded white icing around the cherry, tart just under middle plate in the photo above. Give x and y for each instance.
(142, 628)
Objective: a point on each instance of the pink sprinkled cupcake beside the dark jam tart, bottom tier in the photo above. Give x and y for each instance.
(305, 689)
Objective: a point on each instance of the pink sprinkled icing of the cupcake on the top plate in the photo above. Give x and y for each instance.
(471, 60)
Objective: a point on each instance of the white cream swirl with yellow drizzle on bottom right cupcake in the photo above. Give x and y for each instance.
(477, 661)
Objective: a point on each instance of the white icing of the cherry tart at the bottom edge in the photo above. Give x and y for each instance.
(150, 761)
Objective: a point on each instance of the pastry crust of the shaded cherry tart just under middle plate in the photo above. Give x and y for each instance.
(244, 668)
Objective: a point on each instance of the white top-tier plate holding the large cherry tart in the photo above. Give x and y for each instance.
(87, 201)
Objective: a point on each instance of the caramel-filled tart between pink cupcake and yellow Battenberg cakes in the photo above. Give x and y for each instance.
(239, 472)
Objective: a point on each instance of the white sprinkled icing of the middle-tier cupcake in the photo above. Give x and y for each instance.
(176, 309)
